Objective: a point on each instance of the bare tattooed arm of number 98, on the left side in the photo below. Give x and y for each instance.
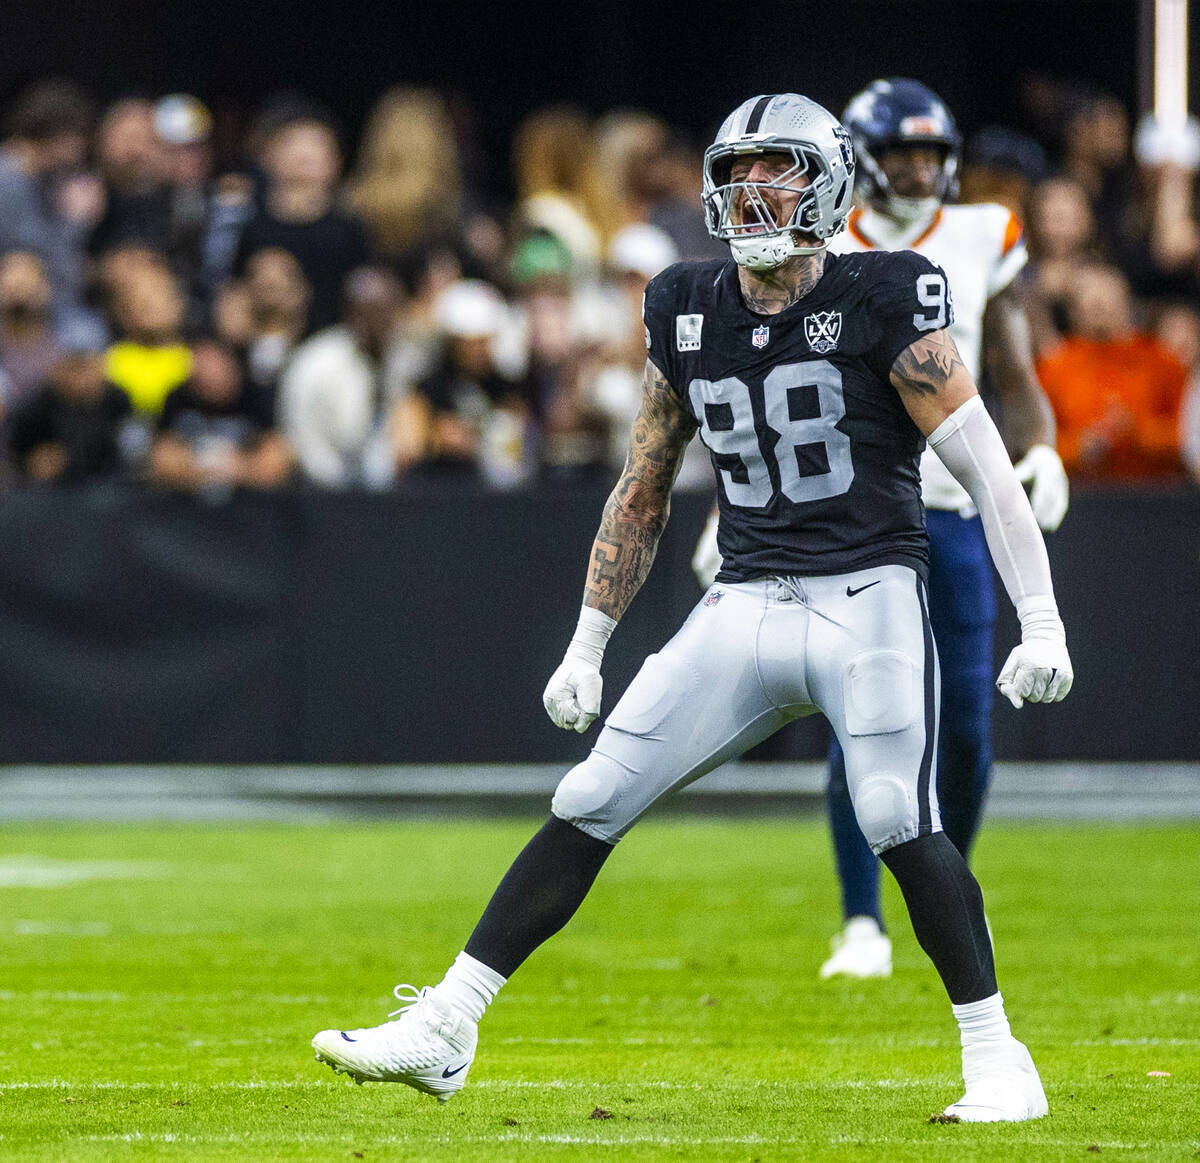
(637, 512)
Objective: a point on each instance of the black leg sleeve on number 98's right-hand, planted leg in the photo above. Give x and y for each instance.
(946, 908)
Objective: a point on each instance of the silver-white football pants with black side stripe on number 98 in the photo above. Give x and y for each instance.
(754, 656)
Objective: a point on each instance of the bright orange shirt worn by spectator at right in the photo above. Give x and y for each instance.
(1118, 405)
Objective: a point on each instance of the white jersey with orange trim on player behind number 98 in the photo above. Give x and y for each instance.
(982, 249)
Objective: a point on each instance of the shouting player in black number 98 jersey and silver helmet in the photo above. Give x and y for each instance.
(813, 379)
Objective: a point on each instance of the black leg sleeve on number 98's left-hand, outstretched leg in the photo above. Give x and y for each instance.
(538, 896)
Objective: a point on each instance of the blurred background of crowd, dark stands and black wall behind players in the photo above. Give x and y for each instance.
(320, 343)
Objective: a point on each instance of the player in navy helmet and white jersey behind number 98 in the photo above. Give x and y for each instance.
(908, 152)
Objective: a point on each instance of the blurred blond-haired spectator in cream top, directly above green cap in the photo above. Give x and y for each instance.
(559, 189)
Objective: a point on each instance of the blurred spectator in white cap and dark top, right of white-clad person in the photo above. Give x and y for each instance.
(469, 417)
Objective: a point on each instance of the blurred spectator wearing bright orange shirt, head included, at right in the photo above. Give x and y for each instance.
(1117, 392)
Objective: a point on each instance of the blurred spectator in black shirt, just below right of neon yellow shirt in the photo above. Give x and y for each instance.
(218, 431)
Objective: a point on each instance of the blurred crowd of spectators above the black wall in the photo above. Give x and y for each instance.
(213, 310)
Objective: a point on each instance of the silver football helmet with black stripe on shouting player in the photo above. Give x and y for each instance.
(823, 154)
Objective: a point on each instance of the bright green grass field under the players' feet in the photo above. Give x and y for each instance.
(160, 987)
